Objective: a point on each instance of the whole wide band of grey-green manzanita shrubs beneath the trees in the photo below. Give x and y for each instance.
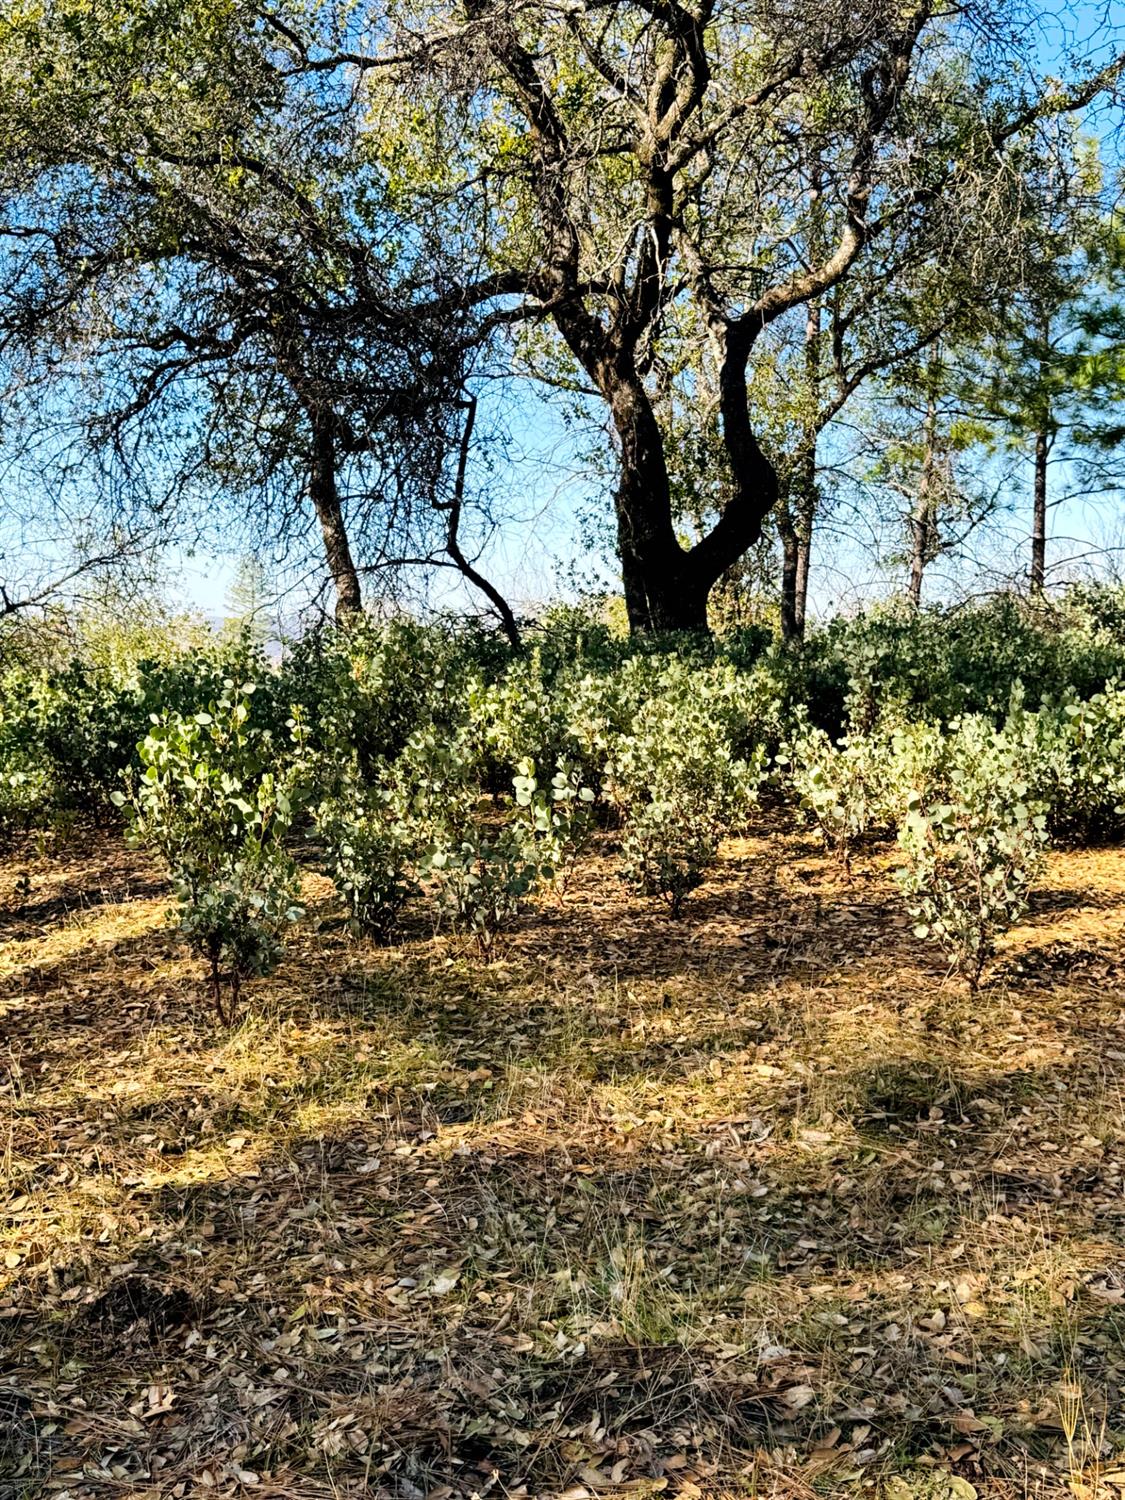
(437, 767)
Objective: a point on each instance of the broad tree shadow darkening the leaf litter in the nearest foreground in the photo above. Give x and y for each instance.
(535, 1310)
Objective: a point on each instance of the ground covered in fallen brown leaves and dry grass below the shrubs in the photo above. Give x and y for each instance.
(751, 1204)
